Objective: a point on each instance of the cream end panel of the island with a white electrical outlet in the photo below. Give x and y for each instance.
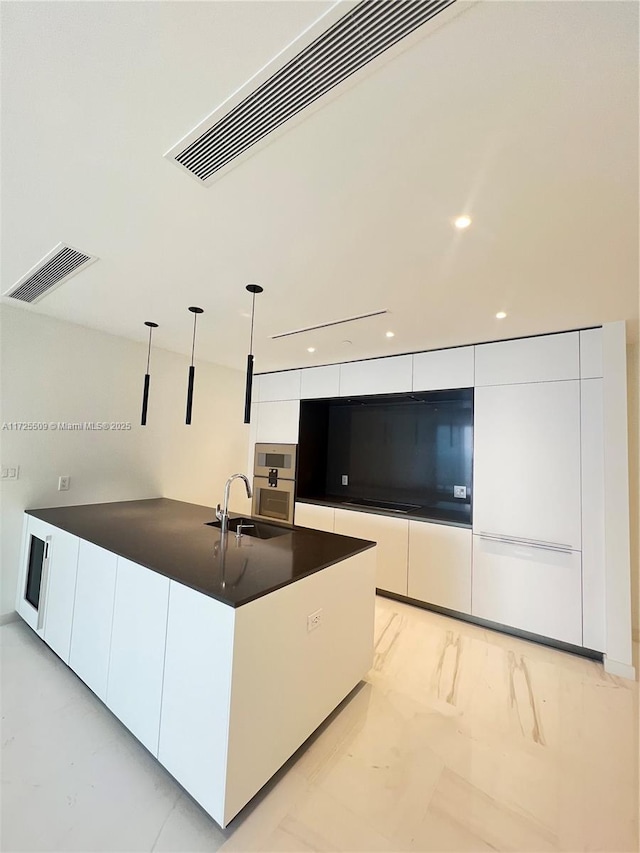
(287, 679)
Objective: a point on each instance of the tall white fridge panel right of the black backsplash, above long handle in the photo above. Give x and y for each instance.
(526, 481)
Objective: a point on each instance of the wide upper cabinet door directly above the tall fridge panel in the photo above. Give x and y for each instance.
(544, 358)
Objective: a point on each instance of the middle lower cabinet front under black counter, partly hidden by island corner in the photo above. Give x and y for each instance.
(392, 536)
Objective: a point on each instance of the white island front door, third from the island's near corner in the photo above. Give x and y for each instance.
(92, 616)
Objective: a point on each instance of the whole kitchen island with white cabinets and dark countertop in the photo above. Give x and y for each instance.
(221, 657)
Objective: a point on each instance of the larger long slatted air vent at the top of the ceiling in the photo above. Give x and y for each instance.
(355, 39)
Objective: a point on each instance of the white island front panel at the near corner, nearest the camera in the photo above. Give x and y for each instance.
(194, 720)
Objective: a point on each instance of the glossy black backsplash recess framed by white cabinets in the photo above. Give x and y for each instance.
(408, 450)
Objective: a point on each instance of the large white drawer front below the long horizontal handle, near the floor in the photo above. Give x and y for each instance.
(532, 589)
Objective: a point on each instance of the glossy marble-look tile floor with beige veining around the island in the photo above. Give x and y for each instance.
(461, 739)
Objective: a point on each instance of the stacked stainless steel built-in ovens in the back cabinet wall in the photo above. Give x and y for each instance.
(274, 483)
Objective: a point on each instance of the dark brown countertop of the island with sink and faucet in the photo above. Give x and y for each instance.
(171, 537)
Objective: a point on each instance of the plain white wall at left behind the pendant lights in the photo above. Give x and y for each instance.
(56, 371)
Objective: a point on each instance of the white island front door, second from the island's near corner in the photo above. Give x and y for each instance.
(136, 664)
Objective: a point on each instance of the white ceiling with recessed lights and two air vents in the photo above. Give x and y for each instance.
(522, 114)
